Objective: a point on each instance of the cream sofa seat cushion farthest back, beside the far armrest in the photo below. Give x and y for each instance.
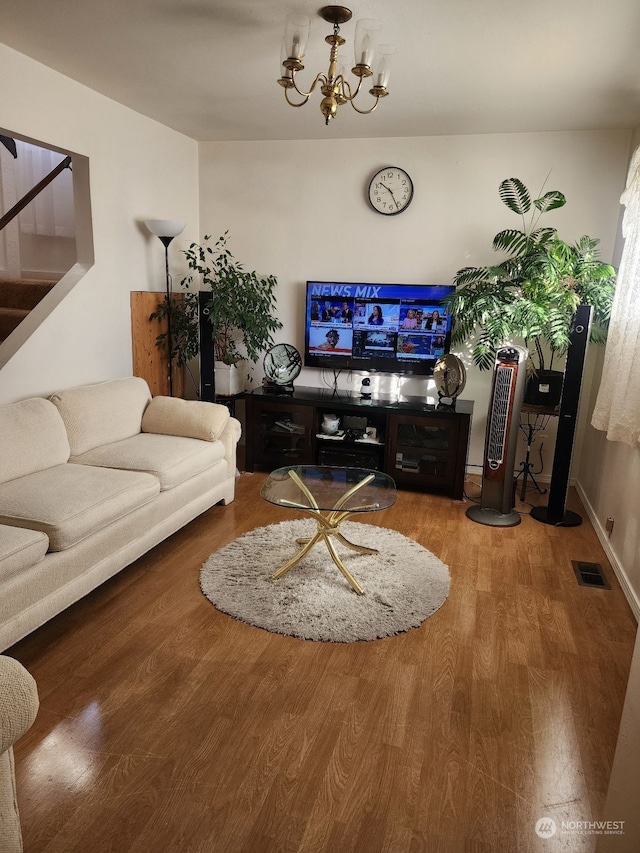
(171, 459)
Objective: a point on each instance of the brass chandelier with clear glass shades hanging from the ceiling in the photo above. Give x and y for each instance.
(371, 60)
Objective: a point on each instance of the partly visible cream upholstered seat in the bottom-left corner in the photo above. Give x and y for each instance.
(18, 709)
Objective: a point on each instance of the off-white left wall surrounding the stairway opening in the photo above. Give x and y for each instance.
(138, 169)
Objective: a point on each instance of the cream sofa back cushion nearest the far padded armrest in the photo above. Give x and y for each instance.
(101, 414)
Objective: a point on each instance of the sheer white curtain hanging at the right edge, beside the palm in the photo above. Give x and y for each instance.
(617, 409)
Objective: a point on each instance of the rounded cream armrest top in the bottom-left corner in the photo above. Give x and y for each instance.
(18, 701)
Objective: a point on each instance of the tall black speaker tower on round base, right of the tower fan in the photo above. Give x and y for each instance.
(556, 512)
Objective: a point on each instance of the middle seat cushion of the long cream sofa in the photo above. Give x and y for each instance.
(70, 502)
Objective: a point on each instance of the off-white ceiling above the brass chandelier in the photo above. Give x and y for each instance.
(209, 68)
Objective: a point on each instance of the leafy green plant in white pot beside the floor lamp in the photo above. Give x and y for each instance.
(241, 310)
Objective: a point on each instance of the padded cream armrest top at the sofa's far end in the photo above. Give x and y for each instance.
(188, 418)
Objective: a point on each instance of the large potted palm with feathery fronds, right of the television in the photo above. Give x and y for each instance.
(533, 293)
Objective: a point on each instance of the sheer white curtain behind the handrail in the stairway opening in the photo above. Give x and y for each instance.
(50, 214)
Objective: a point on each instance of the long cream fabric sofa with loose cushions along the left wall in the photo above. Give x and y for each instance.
(92, 478)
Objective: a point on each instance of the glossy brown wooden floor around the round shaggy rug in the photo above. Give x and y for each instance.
(168, 726)
